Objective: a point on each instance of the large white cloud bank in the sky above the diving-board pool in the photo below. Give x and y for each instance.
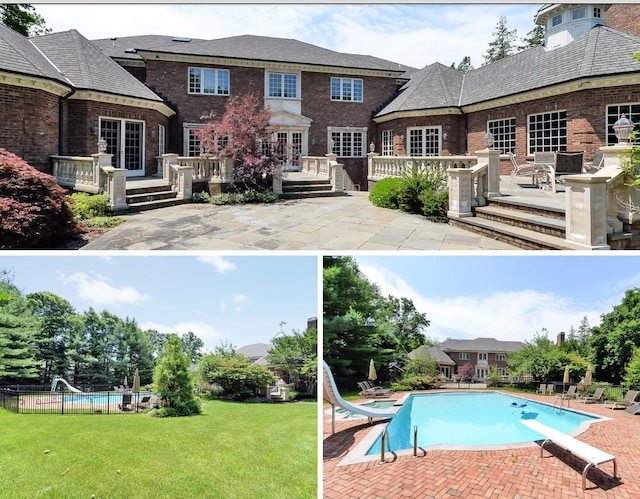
(511, 315)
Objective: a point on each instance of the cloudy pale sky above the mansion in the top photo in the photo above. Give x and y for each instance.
(411, 34)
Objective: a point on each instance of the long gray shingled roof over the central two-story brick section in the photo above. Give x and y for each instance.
(249, 47)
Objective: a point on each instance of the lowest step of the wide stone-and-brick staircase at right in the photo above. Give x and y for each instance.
(517, 236)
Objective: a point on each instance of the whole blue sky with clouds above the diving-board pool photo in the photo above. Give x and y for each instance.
(506, 297)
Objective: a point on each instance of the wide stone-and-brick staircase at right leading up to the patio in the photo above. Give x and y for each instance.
(527, 224)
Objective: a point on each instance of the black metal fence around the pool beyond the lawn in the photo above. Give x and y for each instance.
(103, 402)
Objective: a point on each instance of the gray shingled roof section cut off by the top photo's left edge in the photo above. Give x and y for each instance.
(19, 55)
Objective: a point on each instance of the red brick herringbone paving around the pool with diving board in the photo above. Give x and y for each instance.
(516, 473)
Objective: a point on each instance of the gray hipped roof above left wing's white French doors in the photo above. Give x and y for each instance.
(89, 68)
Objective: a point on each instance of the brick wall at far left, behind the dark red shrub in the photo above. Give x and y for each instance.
(29, 124)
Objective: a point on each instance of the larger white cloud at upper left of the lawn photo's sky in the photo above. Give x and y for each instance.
(98, 291)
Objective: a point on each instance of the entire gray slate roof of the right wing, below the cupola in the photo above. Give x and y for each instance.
(602, 51)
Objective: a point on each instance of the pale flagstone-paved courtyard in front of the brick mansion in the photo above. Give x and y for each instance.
(344, 223)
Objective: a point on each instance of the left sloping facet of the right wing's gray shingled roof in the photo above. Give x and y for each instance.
(435, 86)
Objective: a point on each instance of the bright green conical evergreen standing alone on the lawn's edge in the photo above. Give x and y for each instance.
(173, 382)
